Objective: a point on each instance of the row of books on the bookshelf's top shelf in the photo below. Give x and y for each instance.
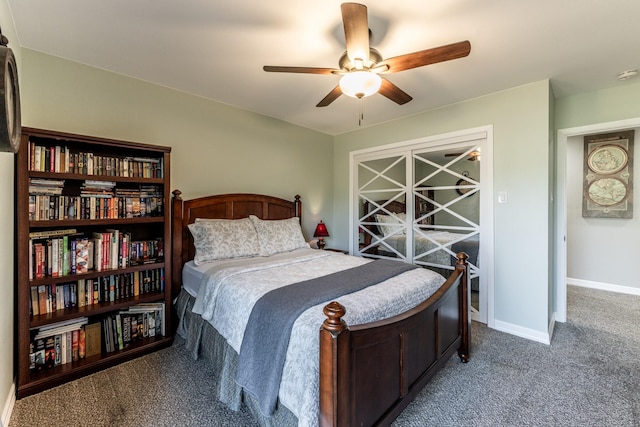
(61, 159)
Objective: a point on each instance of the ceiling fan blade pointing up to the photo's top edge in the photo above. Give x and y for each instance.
(356, 30)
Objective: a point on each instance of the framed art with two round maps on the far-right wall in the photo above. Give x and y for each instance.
(608, 175)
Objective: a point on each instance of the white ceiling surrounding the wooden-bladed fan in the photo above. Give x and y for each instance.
(216, 49)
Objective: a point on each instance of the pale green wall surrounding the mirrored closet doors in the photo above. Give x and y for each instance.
(520, 166)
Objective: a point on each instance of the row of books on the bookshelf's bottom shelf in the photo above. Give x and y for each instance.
(70, 341)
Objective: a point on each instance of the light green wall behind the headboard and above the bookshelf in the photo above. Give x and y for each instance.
(215, 148)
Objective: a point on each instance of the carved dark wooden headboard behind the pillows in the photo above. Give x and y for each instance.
(221, 206)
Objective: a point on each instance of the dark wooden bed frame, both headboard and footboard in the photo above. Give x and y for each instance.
(368, 373)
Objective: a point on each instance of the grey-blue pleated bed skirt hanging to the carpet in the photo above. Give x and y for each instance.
(204, 342)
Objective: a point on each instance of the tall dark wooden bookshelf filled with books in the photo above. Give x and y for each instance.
(98, 187)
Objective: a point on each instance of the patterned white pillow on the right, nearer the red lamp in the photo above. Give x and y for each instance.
(276, 236)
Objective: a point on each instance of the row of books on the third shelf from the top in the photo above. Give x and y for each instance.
(60, 252)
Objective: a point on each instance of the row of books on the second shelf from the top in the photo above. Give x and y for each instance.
(98, 201)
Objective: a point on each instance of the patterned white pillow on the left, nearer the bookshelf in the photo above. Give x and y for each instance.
(223, 239)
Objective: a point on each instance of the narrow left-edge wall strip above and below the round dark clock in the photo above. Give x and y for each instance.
(6, 236)
